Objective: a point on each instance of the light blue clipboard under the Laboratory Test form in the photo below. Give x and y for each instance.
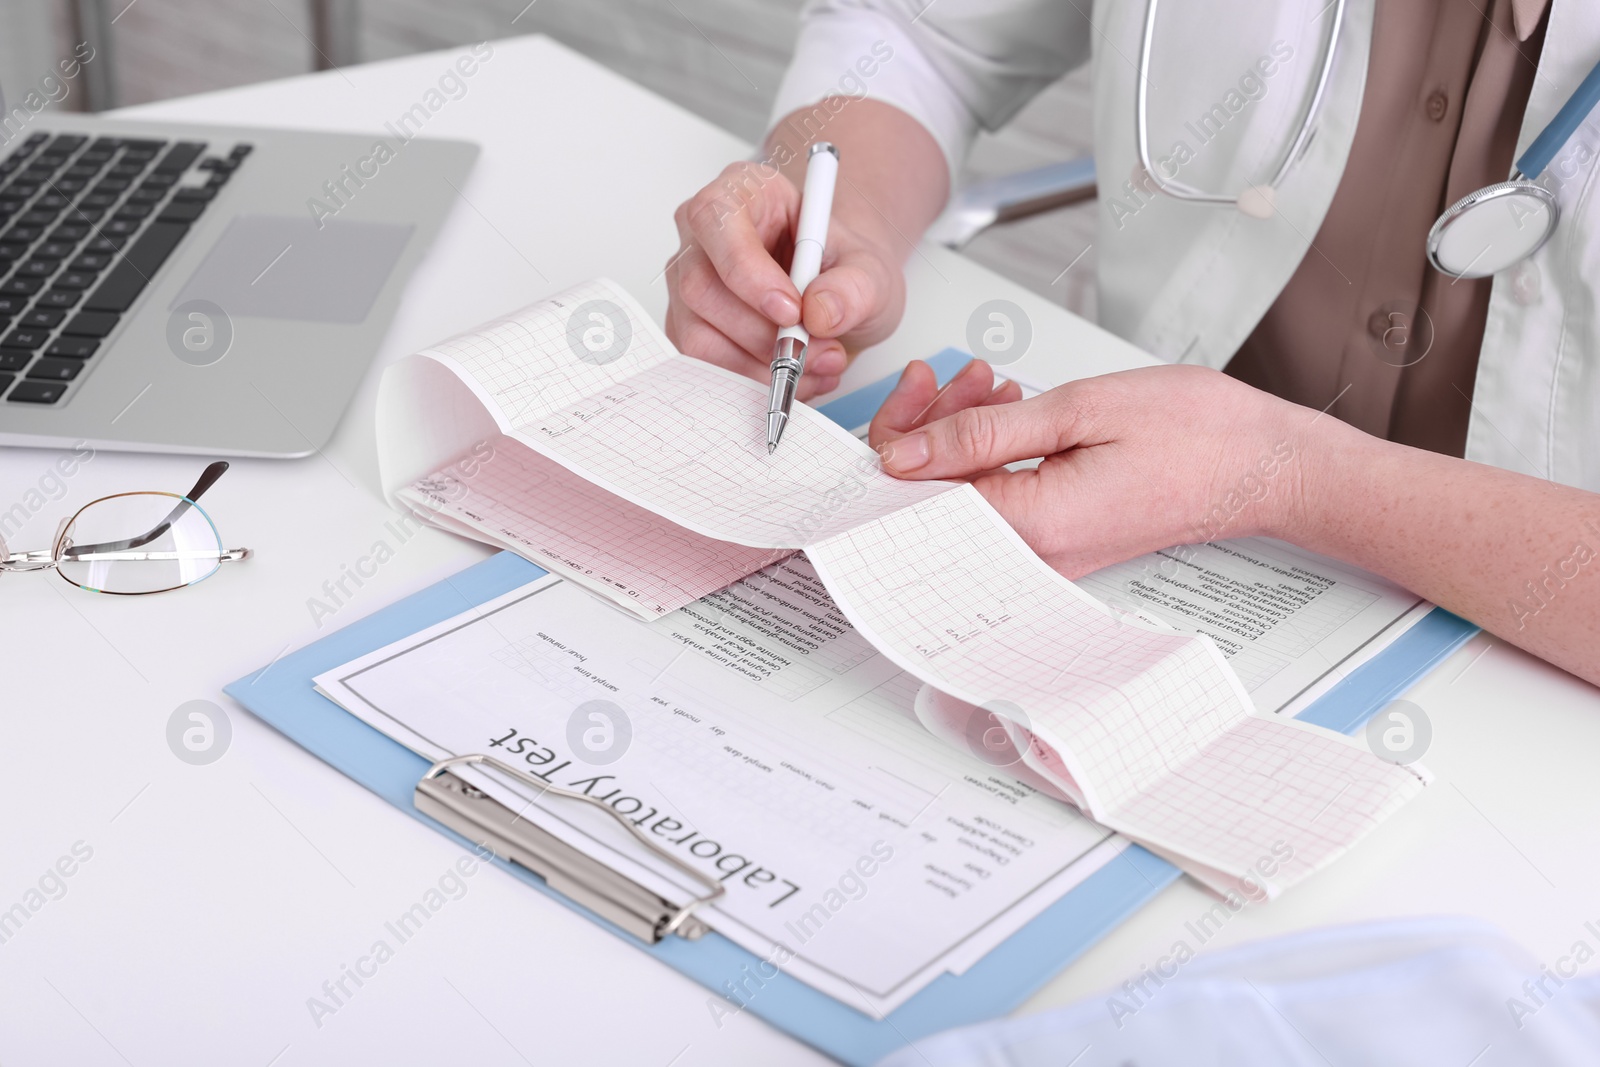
(284, 697)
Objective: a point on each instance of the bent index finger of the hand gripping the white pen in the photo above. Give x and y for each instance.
(740, 220)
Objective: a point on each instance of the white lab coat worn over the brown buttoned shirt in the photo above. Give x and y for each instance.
(1190, 282)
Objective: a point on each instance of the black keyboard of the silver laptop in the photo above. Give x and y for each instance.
(84, 228)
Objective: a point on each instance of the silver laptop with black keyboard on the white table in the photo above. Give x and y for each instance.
(194, 289)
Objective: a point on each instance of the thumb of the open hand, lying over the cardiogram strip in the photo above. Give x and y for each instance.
(993, 436)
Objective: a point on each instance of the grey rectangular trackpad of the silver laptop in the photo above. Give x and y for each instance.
(274, 266)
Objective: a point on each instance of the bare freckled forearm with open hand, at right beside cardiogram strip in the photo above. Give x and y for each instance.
(1174, 455)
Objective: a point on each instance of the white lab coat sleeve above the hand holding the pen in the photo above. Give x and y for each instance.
(954, 66)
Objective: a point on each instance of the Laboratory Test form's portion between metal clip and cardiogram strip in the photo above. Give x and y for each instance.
(764, 740)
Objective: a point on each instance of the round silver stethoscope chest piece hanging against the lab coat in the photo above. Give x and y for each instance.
(1492, 230)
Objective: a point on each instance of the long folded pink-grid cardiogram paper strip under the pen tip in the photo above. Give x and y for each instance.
(1151, 725)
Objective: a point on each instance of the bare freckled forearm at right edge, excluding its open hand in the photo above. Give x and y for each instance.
(1514, 554)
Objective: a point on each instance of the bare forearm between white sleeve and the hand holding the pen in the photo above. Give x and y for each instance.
(894, 178)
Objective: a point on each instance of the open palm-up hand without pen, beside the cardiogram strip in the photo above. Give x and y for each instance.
(1132, 463)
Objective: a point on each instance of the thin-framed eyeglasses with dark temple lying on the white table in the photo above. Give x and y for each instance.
(135, 543)
